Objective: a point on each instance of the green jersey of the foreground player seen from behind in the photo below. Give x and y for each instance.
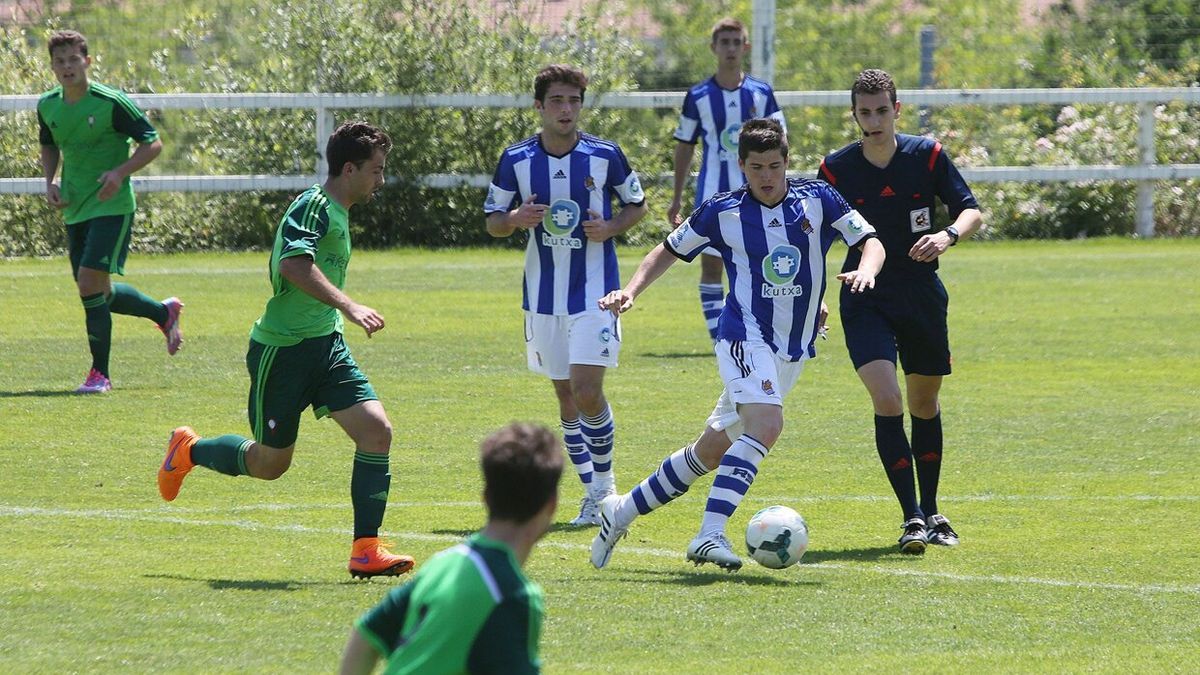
(470, 610)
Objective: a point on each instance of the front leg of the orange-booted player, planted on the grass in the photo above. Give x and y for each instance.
(349, 398)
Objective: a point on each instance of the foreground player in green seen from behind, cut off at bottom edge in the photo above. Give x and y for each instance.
(471, 610)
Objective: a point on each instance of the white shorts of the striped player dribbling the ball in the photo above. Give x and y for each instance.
(753, 374)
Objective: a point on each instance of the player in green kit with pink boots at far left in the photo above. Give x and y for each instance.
(87, 128)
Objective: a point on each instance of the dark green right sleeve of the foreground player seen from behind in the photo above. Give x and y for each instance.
(508, 641)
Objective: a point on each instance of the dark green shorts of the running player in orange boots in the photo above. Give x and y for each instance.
(284, 381)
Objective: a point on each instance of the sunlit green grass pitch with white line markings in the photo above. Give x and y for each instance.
(1072, 427)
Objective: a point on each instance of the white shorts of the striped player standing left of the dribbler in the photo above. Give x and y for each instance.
(554, 343)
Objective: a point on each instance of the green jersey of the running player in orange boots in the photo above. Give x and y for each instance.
(316, 226)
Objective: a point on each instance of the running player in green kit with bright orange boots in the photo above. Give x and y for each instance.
(298, 357)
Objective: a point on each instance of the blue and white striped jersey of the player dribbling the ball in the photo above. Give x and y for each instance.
(775, 258)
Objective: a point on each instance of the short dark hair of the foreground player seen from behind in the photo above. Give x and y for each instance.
(523, 464)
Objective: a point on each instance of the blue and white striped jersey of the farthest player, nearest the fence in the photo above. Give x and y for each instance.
(716, 116)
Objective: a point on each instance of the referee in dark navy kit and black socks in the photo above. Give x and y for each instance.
(893, 181)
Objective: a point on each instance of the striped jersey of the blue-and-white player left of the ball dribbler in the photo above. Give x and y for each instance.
(566, 273)
